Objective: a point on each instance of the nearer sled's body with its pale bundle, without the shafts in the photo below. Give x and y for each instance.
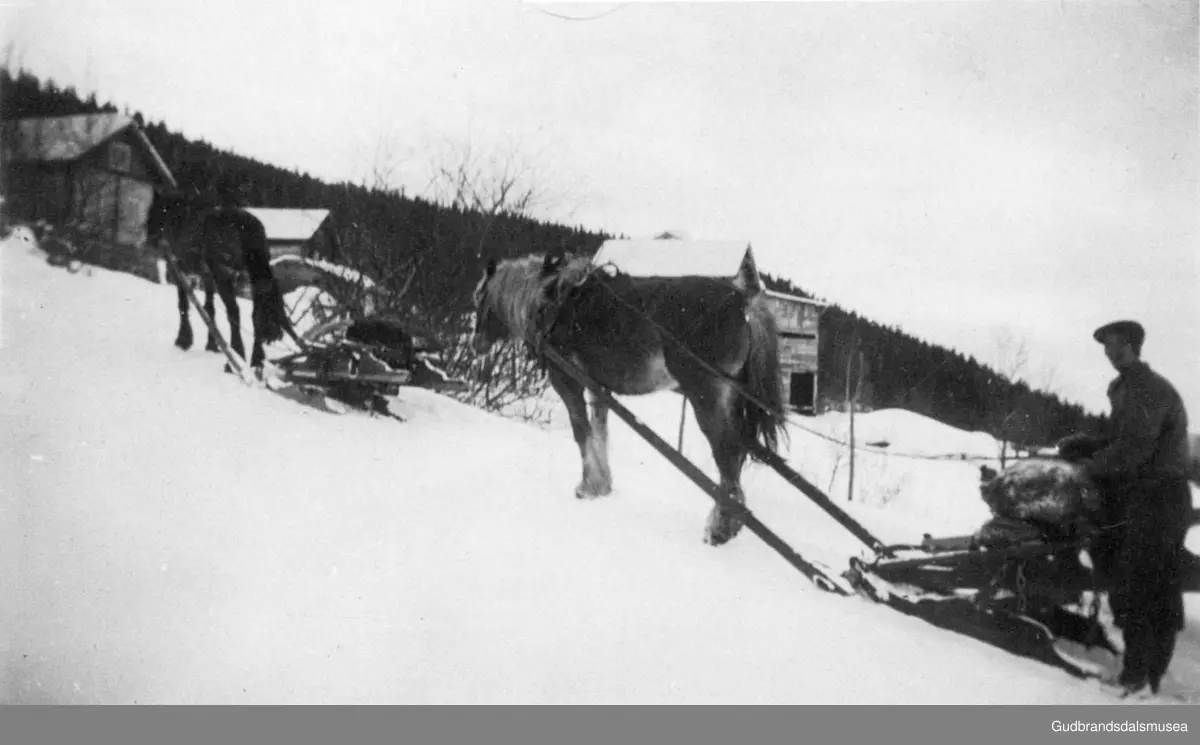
(1021, 581)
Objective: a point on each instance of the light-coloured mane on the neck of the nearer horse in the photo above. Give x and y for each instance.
(518, 291)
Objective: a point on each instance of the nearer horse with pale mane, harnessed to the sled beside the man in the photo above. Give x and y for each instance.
(704, 338)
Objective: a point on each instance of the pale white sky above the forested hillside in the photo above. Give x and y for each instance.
(956, 170)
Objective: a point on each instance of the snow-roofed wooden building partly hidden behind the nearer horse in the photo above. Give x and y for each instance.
(799, 319)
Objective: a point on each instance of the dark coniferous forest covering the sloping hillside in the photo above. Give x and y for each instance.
(435, 250)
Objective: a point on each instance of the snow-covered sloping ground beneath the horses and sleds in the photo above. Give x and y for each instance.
(176, 537)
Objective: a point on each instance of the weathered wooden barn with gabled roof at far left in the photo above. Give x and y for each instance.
(91, 175)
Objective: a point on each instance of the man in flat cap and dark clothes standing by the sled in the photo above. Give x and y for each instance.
(1141, 466)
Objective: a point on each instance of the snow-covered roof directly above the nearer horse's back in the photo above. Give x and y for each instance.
(674, 259)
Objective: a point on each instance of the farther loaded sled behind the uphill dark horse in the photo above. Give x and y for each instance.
(361, 363)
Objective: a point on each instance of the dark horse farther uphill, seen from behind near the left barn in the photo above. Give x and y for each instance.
(220, 243)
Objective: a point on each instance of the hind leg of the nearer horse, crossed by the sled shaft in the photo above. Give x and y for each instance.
(713, 404)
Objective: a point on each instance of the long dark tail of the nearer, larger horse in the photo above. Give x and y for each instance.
(764, 414)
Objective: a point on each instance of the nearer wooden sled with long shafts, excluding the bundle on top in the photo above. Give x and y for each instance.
(1024, 594)
